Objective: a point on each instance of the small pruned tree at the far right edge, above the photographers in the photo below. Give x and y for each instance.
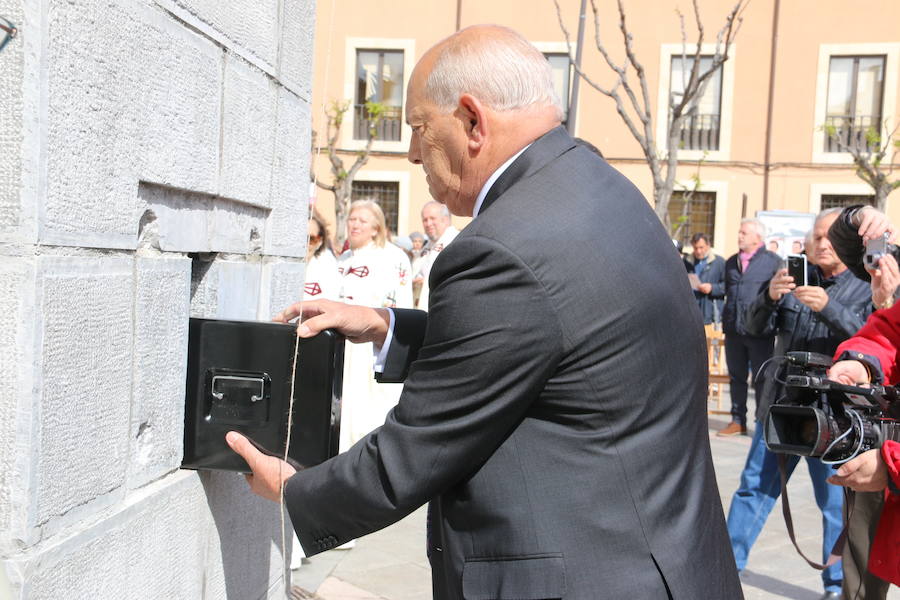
(868, 149)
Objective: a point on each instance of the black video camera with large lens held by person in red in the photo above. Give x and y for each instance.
(828, 420)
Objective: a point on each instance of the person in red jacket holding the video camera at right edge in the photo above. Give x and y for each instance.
(871, 356)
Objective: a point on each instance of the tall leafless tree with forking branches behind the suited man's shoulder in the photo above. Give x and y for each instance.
(635, 96)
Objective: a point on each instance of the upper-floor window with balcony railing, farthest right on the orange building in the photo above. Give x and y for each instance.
(853, 105)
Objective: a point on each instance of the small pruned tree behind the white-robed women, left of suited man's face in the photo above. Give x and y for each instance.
(342, 178)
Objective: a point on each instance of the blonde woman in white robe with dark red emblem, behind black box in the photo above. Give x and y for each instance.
(373, 273)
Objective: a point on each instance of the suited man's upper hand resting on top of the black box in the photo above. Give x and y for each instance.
(359, 324)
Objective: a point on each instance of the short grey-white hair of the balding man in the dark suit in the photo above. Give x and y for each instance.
(505, 72)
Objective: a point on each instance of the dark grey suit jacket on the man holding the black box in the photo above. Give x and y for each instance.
(554, 410)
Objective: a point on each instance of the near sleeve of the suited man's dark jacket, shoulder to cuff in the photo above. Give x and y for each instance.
(491, 343)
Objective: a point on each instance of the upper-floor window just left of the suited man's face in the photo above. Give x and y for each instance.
(379, 78)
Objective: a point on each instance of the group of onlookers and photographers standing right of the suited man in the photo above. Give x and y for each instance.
(766, 314)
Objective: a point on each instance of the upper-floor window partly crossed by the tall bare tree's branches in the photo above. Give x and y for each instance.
(699, 131)
